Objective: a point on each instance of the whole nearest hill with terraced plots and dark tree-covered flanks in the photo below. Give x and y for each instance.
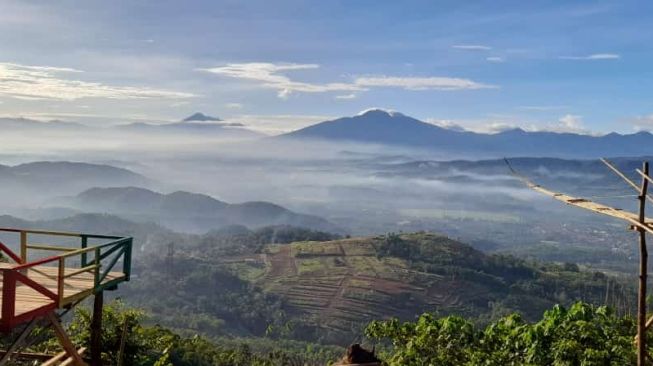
(329, 290)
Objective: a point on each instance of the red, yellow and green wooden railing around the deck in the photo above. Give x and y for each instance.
(98, 259)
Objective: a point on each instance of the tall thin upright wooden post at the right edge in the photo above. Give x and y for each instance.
(643, 271)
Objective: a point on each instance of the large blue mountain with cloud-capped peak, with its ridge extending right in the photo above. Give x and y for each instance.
(377, 126)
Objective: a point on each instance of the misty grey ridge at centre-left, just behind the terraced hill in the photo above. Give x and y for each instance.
(192, 212)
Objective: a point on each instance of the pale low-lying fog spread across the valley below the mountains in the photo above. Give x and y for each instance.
(361, 189)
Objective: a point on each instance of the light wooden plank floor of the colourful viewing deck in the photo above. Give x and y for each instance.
(75, 287)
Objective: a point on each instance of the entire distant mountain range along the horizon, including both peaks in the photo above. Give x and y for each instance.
(380, 127)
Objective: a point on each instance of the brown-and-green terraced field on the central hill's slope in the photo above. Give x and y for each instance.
(340, 285)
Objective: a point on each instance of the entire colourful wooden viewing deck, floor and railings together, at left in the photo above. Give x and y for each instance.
(82, 265)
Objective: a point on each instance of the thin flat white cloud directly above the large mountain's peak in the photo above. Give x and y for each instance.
(421, 83)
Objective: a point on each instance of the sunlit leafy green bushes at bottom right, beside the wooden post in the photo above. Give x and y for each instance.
(581, 335)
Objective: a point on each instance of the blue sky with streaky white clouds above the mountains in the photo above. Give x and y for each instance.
(281, 65)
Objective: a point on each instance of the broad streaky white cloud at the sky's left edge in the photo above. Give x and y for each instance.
(45, 82)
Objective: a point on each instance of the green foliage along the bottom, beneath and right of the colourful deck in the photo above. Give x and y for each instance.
(158, 346)
